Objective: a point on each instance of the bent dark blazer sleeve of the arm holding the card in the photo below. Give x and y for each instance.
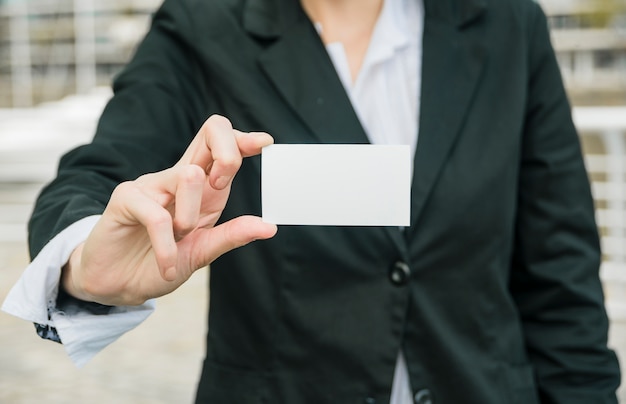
(156, 109)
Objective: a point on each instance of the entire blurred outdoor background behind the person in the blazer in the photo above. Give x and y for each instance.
(57, 58)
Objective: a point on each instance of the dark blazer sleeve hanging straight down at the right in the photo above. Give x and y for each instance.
(555, 267)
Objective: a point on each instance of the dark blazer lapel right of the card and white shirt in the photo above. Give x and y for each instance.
(452, 63)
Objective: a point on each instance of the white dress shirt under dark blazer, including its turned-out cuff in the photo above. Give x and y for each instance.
(385, 96)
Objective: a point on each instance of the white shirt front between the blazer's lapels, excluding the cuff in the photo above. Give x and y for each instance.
(385, 96)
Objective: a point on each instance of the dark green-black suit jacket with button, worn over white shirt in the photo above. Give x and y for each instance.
(495, 296)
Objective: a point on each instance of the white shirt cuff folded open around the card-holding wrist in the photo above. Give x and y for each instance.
(83, 332)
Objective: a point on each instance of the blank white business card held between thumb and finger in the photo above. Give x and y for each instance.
(336, 185)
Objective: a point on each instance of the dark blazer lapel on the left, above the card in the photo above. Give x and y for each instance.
(308, 82)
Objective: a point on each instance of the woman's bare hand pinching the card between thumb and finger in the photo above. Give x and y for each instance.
(158, 230)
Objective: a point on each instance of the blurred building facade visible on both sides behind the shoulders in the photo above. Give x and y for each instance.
(51, 48)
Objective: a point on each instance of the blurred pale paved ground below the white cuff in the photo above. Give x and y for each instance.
(158, 362)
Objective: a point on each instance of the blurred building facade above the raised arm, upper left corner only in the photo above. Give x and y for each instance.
(49, 49)
